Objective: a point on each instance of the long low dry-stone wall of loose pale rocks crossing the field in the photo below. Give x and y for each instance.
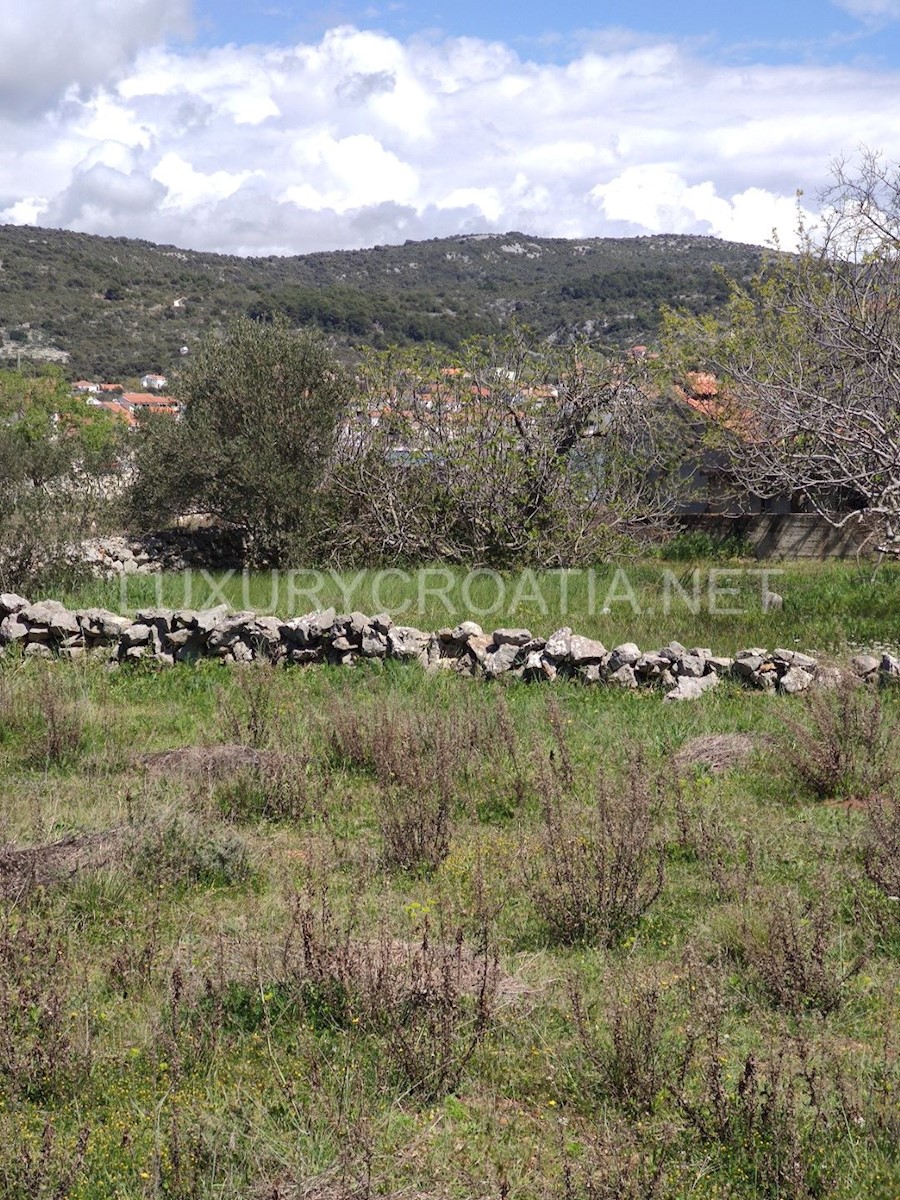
(165, 638)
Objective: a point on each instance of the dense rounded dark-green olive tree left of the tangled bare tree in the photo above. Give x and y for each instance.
(263, 407)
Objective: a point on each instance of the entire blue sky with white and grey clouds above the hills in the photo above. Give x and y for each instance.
(277, 128)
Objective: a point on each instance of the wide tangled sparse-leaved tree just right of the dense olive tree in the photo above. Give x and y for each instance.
(509, 453)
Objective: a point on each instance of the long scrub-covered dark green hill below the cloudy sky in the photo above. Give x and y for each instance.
(115, 308)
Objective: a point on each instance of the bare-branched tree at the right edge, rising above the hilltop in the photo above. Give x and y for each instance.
(809, 361)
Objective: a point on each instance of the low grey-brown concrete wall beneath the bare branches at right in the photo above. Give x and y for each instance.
(790, 535)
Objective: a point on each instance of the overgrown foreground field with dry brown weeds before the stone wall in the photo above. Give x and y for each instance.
(431, 938)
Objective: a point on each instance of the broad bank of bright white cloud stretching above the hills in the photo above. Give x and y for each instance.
(362, 139)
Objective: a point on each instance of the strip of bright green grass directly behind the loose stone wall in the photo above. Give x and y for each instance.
(827, 608)
